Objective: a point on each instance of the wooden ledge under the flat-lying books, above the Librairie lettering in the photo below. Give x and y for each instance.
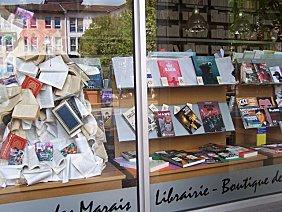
(173, 173)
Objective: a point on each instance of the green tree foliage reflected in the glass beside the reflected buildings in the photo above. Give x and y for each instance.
(112, 35)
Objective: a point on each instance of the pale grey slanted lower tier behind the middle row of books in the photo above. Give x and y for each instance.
(126, 133)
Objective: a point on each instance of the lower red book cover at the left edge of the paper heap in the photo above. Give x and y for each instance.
(12, 141)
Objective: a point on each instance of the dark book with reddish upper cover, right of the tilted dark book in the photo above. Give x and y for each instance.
(211, 116)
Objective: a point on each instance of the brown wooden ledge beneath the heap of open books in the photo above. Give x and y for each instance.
(110, 179)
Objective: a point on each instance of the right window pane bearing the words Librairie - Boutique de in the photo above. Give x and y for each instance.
(213, 70)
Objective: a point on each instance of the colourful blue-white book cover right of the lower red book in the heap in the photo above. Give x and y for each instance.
(44, 151)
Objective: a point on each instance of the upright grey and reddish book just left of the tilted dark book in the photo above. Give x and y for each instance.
(164, 123)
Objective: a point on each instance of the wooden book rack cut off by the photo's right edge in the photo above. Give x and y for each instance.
(267, 98)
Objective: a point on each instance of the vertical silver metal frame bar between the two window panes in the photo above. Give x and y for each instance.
(141, 105)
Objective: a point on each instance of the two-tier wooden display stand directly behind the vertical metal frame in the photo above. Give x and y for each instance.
(191, 91)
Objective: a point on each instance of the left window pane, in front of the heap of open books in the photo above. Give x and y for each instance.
(65, 121)
